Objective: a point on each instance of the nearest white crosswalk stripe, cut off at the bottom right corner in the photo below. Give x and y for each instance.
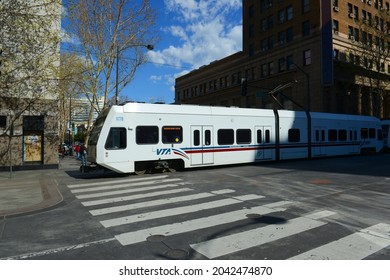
(356, 246)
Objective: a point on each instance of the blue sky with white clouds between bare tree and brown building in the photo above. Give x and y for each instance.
(192, 33)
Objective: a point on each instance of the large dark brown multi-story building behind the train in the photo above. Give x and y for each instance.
(321, 55)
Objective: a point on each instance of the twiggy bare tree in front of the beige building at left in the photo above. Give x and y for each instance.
(29, 50)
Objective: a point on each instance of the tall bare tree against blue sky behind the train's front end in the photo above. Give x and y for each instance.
(113, 35)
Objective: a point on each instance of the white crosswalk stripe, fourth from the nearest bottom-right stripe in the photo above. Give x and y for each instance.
(176, 211)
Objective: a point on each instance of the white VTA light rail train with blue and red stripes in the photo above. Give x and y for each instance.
(137, 137)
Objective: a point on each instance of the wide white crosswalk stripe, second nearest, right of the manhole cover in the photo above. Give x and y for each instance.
(244, 240)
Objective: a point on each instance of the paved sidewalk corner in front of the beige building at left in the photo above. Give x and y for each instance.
(30, 191)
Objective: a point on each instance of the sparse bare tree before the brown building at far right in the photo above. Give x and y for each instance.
(371, 53)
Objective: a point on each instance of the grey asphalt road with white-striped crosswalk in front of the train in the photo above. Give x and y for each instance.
(336, 208)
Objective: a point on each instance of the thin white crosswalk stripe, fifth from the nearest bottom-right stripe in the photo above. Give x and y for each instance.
(133, 206)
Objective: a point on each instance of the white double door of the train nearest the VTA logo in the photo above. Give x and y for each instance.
(201, 142)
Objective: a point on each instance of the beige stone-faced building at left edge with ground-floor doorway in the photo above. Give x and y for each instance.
(29, 62)
